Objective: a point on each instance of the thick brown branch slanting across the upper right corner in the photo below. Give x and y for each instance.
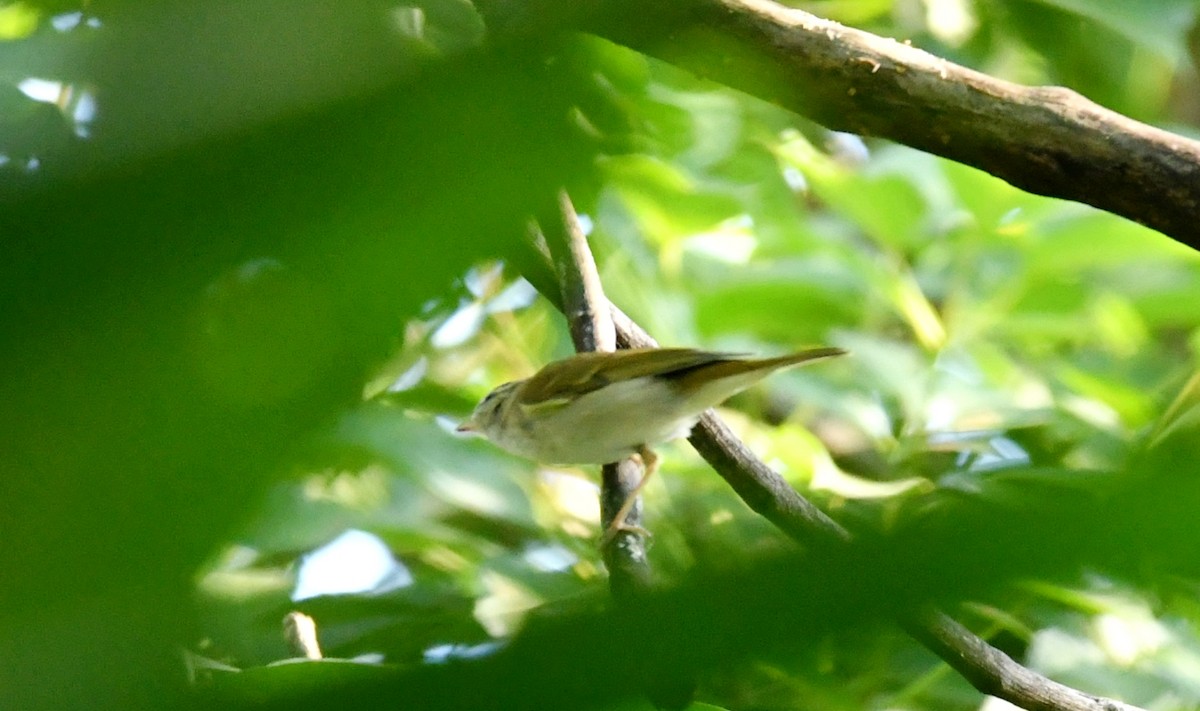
(1045, 140)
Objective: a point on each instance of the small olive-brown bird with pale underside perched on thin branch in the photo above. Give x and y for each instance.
(601, 408)
